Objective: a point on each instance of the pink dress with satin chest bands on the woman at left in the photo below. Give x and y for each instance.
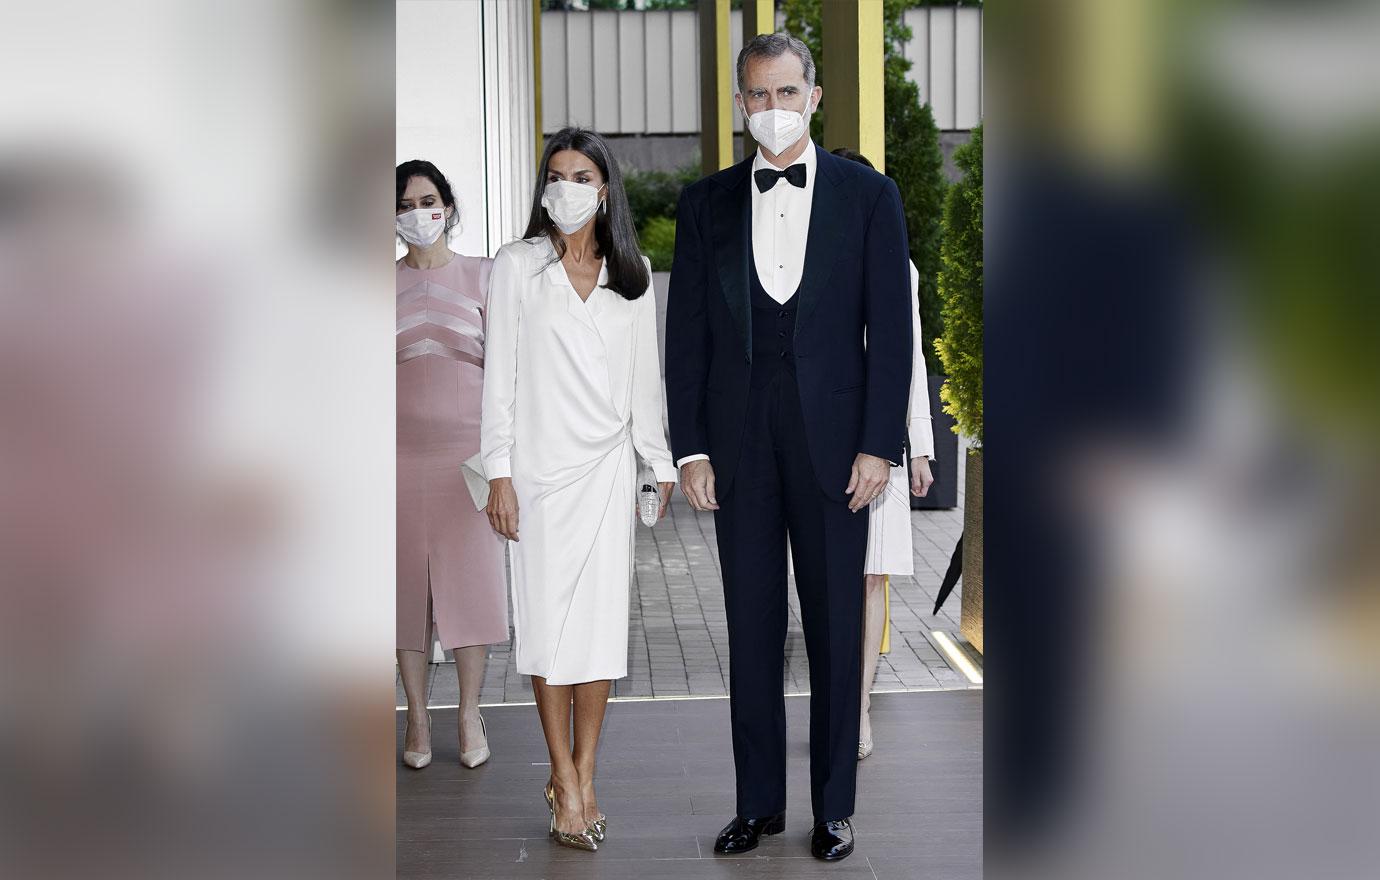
(445, 546)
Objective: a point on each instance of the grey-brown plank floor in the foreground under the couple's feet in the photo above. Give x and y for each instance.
(666, 783)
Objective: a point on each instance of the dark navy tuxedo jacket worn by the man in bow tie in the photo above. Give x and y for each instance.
(854, 394)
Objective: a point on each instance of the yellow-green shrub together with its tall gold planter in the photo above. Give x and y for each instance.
(961, 350)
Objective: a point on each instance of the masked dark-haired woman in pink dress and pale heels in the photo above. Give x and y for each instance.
(451, 563)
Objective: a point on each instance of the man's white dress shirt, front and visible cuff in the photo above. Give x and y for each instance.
(780, 230)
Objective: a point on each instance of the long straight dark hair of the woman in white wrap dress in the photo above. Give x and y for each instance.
(616, 238)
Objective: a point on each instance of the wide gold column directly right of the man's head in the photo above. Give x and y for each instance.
(854, 50)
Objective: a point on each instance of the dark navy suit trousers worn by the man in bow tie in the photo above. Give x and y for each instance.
(775, 496)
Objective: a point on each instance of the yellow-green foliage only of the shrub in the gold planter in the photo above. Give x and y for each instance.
(961, 292)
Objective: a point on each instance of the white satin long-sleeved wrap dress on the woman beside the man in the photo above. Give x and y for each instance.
(572, 398)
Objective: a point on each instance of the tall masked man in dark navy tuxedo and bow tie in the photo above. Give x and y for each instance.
(785, 424)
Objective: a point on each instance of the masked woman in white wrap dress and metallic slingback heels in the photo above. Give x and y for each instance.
(572, 399)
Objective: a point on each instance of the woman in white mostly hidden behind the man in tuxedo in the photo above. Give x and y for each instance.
(889, 551)
